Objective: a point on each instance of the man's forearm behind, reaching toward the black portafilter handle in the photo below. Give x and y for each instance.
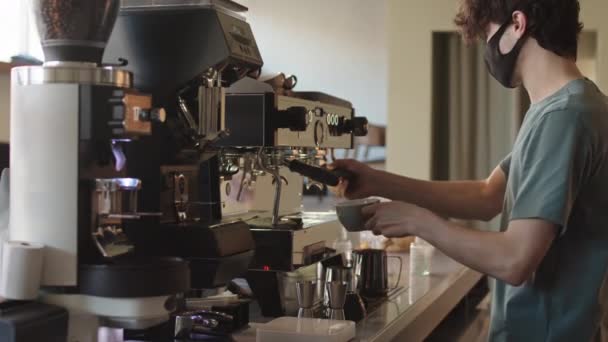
(462, 199)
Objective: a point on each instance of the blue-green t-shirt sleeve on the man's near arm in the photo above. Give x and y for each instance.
(551, 165)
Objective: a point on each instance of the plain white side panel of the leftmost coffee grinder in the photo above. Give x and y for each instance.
(44, 174)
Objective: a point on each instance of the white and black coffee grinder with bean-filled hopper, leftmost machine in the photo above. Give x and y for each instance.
(73, 120)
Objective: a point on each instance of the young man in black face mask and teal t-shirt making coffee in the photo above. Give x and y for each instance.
(550, 257)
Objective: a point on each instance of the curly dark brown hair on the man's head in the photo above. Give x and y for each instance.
(553, 23)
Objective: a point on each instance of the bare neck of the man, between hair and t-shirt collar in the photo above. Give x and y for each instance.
(546, 73)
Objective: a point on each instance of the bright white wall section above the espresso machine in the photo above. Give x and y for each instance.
(338, 47)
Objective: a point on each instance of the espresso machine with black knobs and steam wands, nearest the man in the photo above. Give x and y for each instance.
(280, 140)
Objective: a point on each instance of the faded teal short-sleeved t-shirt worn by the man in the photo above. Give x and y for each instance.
(558, 172)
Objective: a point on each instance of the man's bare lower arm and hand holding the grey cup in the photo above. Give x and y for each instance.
(512, 256)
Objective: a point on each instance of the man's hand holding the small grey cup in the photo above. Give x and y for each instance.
(397, 219)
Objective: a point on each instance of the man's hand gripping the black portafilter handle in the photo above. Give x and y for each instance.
(362, 184)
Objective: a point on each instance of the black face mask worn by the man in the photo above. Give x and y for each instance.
(502, 66)
